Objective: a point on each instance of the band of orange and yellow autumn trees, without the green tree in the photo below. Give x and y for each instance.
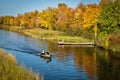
(62, 18)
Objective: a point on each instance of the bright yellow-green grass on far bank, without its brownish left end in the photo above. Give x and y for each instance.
(53, 35)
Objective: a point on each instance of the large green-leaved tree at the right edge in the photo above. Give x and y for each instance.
(109, 19)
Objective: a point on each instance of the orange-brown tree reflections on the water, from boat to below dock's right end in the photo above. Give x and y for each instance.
(83, 57)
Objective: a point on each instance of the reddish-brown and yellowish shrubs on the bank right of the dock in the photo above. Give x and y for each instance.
(114, 41)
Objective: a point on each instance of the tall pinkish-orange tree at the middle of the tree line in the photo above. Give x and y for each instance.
(64, 17)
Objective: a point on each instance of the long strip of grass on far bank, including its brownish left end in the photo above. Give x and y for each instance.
(45, 34)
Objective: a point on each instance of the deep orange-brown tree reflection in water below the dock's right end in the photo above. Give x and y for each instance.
(86, 58)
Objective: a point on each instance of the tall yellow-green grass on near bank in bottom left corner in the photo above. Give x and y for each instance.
(9, 70)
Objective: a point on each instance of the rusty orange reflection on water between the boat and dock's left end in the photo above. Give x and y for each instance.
(62, 53)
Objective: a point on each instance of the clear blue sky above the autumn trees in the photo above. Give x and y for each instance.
(14, 7)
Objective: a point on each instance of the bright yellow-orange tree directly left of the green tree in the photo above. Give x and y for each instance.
(91, 16)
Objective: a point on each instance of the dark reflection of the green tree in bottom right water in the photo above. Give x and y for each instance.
(108, 67)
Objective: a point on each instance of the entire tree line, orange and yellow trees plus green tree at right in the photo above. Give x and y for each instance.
(103, 17)
